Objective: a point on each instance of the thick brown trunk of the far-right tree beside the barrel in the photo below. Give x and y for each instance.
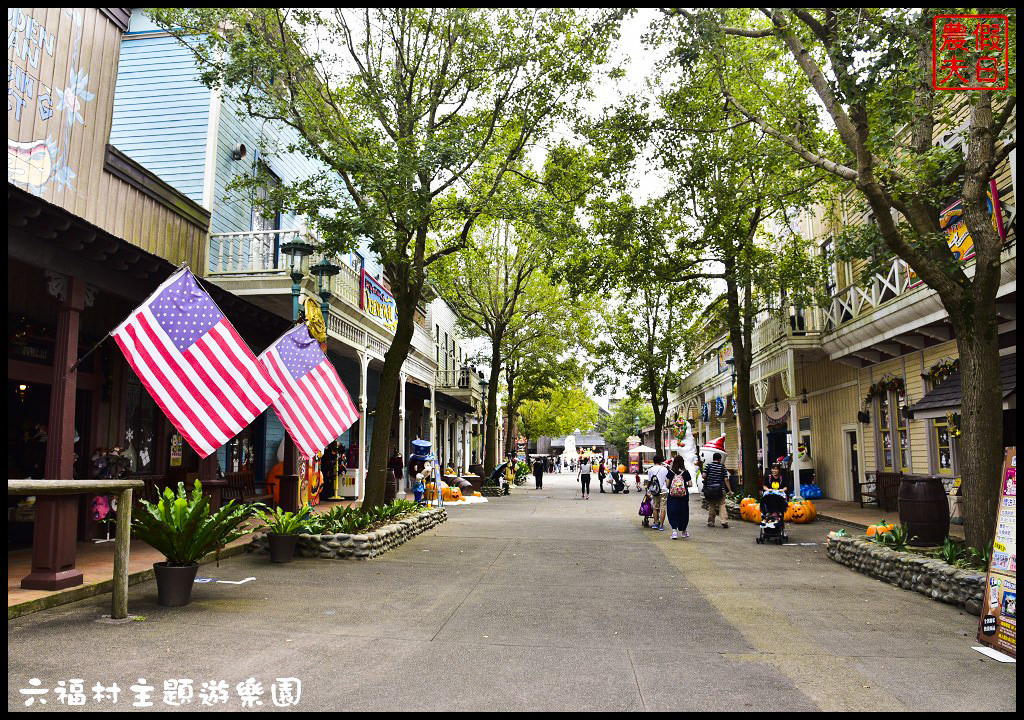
(982, 420)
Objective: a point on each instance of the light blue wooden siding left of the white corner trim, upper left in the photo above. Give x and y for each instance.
(161, 112)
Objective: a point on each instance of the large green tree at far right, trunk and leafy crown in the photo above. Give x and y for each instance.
(872, 72)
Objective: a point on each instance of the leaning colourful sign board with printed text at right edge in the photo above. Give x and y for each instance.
(998, 628)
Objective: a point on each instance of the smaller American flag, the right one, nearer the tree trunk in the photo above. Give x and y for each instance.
(314, 406)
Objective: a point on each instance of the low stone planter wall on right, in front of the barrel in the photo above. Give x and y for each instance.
(927, 576)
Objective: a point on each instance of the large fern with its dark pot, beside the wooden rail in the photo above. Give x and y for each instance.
(182, 528)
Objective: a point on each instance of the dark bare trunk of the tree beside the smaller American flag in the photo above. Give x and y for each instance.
(387, 395)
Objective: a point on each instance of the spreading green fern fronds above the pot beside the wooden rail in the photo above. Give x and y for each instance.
(182, 528)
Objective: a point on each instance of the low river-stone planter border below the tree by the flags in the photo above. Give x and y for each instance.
(367, 545)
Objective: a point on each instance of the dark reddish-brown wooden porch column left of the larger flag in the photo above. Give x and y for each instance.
(56, 528)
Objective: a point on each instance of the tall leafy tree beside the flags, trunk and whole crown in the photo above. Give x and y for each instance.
(419, 114)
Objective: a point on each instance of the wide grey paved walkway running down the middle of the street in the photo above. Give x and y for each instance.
(540, 602)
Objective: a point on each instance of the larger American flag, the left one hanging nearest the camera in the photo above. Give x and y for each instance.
(192, 361)
